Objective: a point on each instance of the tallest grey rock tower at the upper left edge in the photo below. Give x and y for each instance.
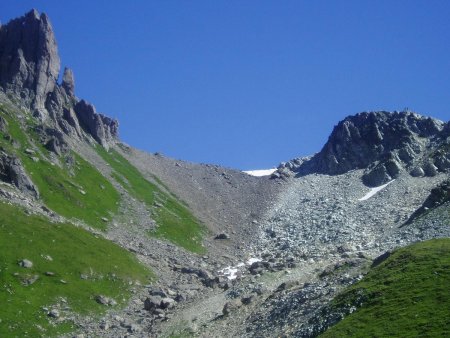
(29, 60)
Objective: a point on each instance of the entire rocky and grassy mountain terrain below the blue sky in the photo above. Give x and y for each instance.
(101, 239)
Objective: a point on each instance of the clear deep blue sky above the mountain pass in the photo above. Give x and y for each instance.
(248, 84)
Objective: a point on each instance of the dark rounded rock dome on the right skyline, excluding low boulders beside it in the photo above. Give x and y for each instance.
(358, 141)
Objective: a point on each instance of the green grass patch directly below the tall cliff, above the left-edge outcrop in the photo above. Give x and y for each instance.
(74, 191)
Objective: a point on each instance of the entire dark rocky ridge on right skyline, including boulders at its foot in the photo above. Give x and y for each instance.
(384, 144)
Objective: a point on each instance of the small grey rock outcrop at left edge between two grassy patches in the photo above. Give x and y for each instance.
(12, 171)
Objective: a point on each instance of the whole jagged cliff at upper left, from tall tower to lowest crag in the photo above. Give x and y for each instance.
(29, 69)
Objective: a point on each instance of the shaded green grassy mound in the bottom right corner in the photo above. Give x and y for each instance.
(408, 295)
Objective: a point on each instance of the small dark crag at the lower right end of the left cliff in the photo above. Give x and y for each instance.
(102, 128)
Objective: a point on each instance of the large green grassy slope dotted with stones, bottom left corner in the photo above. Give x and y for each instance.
(107, 269)
